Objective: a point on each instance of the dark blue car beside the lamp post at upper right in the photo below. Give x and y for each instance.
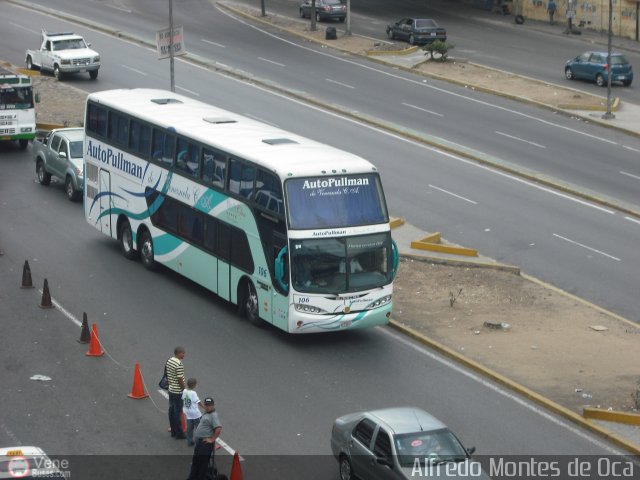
(593, 66)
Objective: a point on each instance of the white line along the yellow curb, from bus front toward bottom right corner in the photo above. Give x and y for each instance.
(491, 386)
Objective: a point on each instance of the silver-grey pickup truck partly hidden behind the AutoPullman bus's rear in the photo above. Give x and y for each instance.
(59, 153)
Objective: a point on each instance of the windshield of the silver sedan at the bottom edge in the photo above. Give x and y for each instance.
(429, 448)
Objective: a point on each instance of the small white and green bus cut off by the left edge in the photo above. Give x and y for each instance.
(17, 110)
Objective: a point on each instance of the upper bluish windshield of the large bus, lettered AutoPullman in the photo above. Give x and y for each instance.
(338, 201)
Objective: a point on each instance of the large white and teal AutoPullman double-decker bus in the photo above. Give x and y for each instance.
(294, 232)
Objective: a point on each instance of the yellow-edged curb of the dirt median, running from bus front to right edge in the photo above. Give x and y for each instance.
(515, 386)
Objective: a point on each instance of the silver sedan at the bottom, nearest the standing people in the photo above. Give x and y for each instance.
(392, 443)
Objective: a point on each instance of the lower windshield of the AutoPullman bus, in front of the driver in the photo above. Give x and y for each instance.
(348, 264)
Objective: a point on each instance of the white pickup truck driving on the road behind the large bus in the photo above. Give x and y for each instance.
(63, 53)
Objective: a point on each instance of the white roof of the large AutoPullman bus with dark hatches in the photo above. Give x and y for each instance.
(275, 149)
